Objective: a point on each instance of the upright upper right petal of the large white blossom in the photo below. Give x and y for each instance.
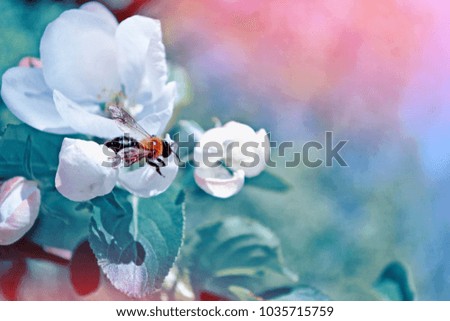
(141, 52)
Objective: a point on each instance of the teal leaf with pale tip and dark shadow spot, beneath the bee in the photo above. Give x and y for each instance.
(136, 241)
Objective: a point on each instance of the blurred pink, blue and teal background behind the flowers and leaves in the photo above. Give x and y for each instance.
(376, 73)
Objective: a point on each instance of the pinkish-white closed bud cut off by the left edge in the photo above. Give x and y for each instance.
(20, 200)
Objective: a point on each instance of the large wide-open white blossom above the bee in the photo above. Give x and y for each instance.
(89, 61)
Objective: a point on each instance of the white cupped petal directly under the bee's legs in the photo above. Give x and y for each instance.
(146, 182)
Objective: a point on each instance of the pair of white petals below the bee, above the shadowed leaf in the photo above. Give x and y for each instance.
(86, 170)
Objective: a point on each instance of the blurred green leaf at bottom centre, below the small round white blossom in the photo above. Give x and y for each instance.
(235, 252)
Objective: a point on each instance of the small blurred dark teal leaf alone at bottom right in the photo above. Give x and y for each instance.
(393, 284)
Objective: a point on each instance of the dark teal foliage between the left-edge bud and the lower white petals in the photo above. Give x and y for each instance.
(34, 154)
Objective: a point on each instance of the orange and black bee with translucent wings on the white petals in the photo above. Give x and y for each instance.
(142, 146)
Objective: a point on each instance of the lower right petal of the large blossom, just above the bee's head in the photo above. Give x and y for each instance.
(156, 117)
